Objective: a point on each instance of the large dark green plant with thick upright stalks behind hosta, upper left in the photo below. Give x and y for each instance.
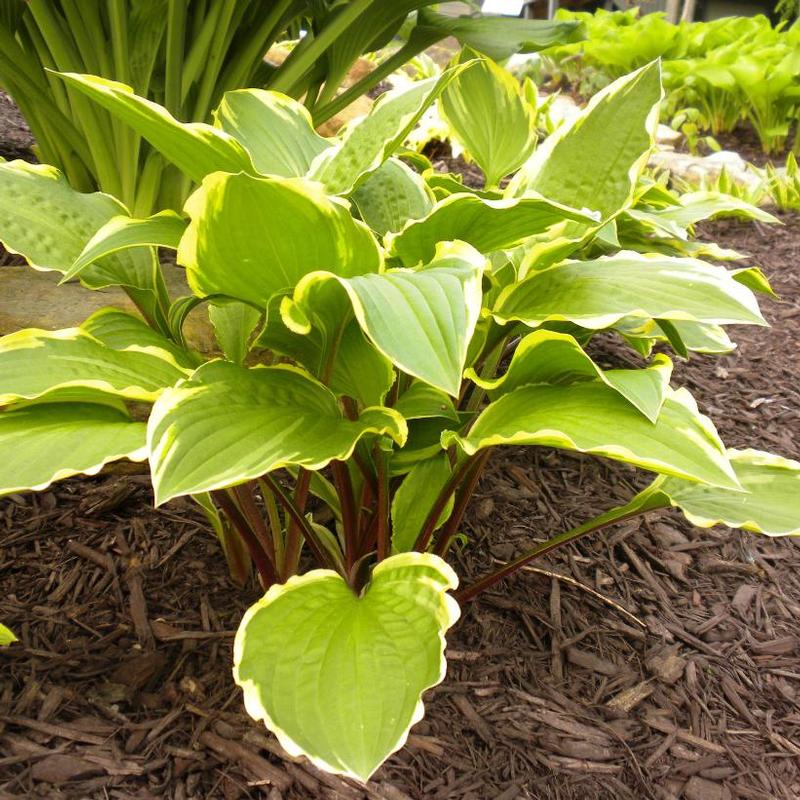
(185, 54)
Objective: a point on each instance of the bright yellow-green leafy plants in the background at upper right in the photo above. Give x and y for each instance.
(716, 74)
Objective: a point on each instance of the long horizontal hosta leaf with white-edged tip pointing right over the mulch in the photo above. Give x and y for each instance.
(596, 294)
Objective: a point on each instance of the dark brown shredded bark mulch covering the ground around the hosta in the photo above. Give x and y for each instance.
(654, 660)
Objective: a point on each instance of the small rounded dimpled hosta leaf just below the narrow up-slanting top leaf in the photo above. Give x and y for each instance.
(391, 196)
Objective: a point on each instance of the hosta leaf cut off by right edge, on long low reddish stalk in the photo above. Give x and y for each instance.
(768, 505)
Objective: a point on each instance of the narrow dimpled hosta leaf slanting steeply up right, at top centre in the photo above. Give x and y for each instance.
(369, 141)
